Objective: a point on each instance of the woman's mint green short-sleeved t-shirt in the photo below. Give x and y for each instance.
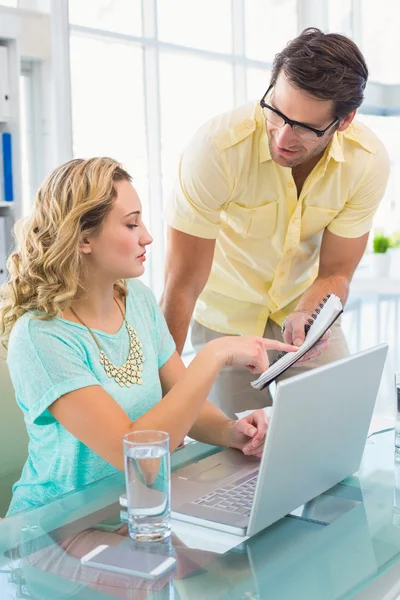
(48, 359)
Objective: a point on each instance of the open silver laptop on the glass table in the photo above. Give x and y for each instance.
(316, 438)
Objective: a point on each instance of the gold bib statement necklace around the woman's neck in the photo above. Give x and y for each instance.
(131, 371)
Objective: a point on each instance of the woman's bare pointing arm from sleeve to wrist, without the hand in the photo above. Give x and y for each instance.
(97, 420)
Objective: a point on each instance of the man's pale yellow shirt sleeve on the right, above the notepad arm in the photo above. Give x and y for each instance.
(355, 219)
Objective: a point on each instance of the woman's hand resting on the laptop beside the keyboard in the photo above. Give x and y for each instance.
(248, 434)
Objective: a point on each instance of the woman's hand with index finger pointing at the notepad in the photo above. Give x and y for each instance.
(249, 352)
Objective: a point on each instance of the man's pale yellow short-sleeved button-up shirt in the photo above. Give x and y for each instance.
(267, 238)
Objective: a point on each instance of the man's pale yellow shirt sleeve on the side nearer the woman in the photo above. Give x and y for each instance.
(201, 190)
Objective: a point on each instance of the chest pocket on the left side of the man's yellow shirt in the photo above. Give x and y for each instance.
(252, 222)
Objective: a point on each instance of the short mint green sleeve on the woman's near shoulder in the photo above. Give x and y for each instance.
(43, 367)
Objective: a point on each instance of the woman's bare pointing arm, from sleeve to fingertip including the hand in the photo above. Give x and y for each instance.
(93, 416)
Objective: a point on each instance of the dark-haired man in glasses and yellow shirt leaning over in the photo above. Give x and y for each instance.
(273, 208)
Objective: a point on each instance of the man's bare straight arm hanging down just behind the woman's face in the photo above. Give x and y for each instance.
(188, 265)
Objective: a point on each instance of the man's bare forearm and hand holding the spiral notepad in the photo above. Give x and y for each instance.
(339, 258)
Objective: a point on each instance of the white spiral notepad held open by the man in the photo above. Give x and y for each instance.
(323, 317)
